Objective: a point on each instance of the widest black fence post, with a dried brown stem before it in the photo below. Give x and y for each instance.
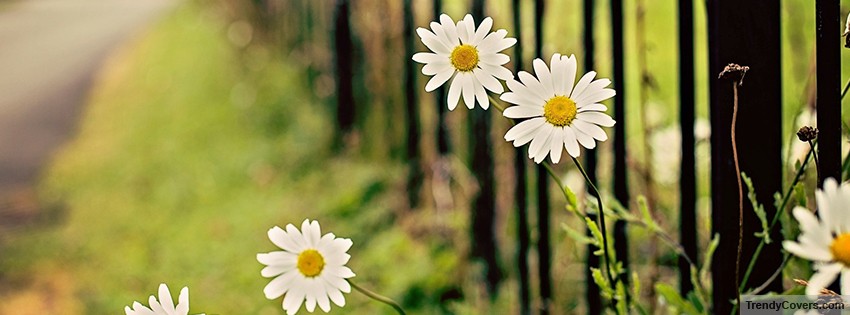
(747, 33)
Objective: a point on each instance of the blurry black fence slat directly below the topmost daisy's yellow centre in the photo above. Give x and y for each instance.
(484, 203)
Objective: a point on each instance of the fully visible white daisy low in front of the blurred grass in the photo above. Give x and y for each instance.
(310, 269)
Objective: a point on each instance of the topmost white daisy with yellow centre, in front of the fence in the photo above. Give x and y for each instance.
(470, 55)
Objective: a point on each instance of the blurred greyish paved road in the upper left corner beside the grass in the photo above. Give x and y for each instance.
(49, 52)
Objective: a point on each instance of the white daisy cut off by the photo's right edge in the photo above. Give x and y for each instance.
(825, 241)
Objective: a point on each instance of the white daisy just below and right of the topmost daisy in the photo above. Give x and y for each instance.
(560, 114)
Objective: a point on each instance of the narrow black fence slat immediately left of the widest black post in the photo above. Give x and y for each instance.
(687, 175)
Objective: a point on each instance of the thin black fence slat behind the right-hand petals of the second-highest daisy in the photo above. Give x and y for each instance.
(591, 292)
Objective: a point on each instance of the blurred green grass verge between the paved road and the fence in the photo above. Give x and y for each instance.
(189, 151)
